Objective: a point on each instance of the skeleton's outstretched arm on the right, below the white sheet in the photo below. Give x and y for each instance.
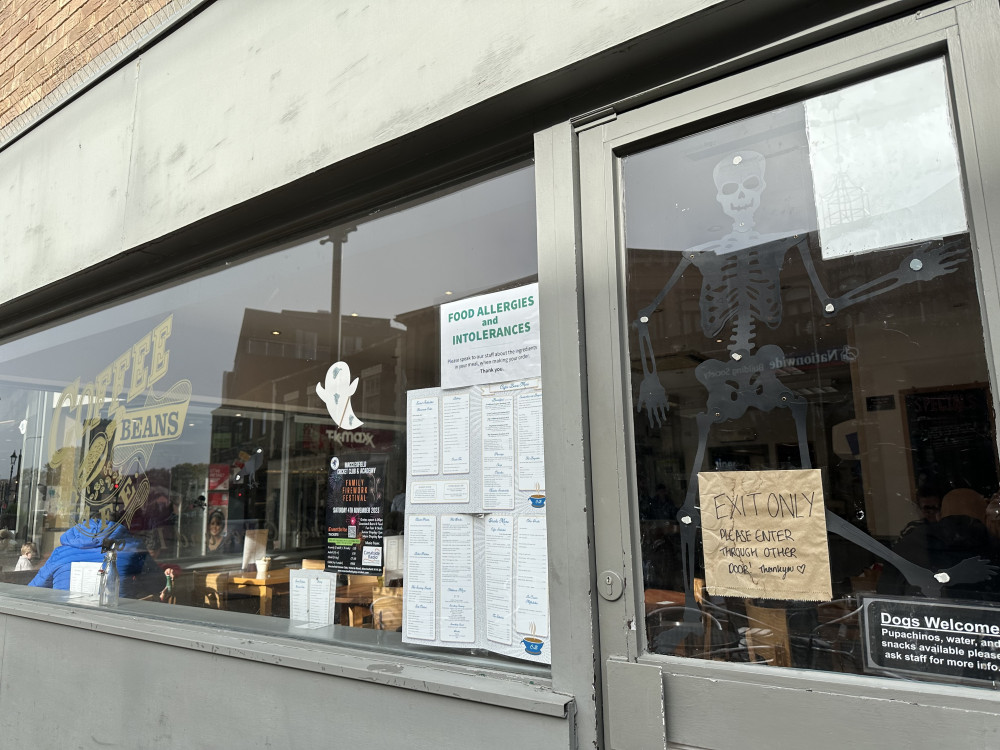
(929, 260)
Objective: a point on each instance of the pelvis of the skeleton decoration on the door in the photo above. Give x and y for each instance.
(744, 381)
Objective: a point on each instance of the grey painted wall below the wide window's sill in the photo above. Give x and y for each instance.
(104, 691)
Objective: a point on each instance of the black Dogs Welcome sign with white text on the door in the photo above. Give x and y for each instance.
(932, 639)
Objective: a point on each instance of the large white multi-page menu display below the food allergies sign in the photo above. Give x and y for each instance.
(476, 555)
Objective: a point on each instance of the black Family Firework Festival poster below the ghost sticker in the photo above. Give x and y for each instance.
(355, 513)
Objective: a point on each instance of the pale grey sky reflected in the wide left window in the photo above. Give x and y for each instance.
(463, 242)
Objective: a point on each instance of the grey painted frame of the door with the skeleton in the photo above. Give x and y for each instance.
(842, 709)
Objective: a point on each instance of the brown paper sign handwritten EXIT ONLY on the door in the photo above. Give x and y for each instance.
(764, 534)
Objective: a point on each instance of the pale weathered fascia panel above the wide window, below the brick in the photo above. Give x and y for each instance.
(250, 95)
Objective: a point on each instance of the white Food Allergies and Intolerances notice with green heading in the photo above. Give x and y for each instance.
(491, 338)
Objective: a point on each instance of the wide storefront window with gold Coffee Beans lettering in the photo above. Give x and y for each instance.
(241, 436)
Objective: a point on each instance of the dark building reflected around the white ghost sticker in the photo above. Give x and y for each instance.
(269, 404)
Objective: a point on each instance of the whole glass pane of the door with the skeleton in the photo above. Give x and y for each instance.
(802, 296)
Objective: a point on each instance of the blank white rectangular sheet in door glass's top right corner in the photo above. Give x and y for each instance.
(885, 162)
